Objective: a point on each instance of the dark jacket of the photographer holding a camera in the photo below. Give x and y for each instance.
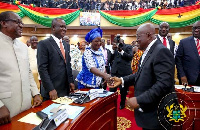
(121, 64)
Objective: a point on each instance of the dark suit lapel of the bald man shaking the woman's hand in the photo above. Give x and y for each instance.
(145, 59)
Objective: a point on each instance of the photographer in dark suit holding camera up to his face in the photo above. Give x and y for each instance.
(121, 58)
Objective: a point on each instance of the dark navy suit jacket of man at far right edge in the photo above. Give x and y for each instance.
(188, 60)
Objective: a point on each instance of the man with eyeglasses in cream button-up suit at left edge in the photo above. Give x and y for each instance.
(17, 84)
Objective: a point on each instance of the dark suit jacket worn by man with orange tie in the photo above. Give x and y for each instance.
(54, 72)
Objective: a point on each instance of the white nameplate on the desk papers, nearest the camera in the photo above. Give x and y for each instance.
(61, 117)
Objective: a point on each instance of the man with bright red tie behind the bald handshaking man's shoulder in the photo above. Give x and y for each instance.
(162, 36)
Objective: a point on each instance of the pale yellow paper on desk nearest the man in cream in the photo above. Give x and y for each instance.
(34, 119)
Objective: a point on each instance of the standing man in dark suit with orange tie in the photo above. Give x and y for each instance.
(54, 63)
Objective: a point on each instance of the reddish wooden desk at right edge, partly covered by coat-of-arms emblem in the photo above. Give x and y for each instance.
(192, 101)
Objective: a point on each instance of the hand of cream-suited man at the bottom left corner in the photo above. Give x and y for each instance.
(4, 115)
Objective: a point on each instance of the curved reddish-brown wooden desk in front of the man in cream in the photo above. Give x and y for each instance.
(100, 113)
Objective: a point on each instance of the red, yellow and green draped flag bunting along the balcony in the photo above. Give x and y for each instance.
(176, 17)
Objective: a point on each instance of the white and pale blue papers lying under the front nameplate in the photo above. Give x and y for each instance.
(72, 111)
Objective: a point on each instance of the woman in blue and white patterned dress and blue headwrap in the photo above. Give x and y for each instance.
(93, 63)
